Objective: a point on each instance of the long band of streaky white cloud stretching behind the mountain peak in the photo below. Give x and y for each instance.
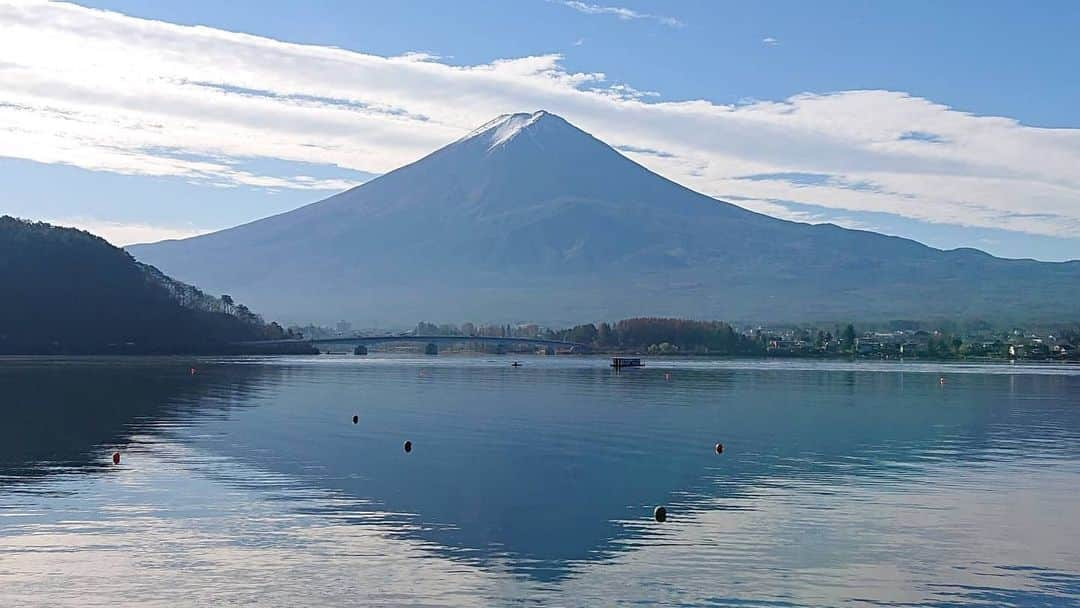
(107, 92)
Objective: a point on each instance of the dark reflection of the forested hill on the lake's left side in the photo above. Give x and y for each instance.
(60, 414)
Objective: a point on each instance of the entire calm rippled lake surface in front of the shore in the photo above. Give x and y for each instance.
(248, 483)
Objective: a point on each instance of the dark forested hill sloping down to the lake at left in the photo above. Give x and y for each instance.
(69, 292)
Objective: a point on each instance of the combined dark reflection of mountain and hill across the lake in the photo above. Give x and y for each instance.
(541, 470)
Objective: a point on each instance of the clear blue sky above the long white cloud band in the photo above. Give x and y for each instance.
(1001, 59)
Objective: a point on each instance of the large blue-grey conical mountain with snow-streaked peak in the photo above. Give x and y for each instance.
(531, 219)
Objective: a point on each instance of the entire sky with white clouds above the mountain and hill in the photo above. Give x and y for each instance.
(953, 124)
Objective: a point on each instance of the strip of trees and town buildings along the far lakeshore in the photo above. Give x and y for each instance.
(672, 337)
